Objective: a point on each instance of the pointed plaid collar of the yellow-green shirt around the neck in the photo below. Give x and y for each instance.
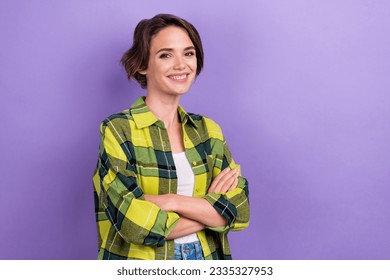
(143, 117)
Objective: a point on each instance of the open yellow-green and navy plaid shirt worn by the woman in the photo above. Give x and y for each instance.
(135, 159)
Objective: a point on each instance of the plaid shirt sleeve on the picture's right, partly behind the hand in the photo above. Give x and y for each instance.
(234, 204)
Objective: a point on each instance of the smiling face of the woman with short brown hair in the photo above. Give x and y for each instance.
(172, 62)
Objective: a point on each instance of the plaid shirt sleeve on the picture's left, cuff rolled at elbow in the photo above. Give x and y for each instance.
(136, 220)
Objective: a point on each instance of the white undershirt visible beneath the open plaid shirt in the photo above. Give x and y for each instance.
(185, 186)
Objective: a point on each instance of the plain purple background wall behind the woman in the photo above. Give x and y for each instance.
(300, 88)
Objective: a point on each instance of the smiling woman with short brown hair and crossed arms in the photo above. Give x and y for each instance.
(166, 186)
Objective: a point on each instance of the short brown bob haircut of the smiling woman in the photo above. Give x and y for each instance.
(137, 57)
